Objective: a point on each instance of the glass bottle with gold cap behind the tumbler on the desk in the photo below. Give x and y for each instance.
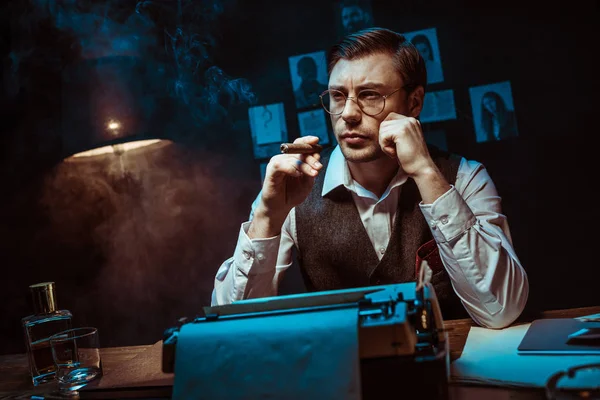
(45, 322)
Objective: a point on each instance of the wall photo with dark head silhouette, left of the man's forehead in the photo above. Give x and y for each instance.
(309, 78)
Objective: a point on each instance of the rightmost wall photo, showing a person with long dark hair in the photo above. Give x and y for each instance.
(493, 112)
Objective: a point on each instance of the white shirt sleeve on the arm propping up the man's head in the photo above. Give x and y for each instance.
(476, 248)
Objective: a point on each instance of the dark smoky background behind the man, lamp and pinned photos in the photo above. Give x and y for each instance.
(134, 242)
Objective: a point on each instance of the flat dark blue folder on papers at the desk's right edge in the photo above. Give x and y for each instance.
(560, 336)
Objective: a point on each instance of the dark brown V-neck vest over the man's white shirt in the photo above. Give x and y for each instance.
(335, 251)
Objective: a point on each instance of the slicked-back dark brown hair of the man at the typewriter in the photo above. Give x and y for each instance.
(407, 60)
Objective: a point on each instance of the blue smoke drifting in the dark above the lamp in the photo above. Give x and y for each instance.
(173, 42)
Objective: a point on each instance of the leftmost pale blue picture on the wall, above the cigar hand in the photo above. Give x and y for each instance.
(268, 129)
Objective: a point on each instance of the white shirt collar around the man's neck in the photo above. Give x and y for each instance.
(338, 174)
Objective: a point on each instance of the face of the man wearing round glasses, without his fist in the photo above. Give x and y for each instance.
(356, 132)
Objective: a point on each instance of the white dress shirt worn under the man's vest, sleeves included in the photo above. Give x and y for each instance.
(466, 222)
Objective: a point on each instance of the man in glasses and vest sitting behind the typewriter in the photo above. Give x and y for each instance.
(359, 216)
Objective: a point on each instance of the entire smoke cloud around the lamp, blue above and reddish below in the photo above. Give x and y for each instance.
(132, 240)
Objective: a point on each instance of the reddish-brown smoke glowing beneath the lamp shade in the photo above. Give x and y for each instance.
(157, 218)
